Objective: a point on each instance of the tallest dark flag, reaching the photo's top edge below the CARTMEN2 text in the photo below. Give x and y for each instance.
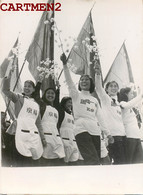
(42, 46)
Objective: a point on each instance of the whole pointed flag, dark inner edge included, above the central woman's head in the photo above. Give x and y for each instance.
(84, 56)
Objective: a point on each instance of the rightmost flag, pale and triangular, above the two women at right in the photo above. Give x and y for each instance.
(120, 70)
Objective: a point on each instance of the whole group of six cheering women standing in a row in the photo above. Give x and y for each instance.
(78, 130)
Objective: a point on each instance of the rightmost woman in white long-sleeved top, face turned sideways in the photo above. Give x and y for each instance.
(134, 151)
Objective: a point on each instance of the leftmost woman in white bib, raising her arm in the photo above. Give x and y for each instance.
(27, 127)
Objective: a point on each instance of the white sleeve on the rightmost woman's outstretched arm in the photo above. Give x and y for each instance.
(131, 103)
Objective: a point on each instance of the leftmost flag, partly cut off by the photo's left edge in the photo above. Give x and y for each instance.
(15, 82)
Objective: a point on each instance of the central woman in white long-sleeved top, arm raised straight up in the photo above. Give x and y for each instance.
(87, 115)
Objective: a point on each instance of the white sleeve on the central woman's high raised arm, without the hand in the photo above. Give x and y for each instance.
(71, 86)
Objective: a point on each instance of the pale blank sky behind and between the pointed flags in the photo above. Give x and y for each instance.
(114, 21)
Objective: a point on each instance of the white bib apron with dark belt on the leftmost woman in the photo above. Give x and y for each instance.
(28, 141)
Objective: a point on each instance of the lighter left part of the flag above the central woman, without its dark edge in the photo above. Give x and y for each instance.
(79, 57)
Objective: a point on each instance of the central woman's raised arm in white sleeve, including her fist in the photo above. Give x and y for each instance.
(71, 86)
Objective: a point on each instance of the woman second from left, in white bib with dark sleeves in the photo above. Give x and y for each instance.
(53, 154)
